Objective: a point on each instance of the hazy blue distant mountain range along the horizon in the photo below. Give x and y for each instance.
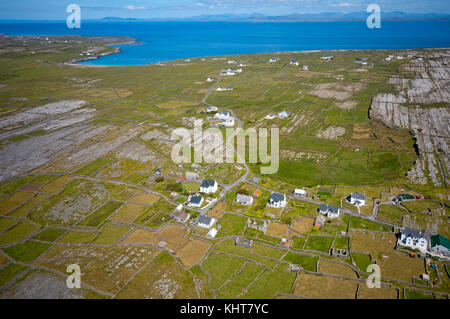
(325, 16)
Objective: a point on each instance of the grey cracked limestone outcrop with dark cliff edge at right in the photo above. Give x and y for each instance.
(421, 106)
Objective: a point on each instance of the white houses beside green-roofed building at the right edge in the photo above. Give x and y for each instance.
(435, 245)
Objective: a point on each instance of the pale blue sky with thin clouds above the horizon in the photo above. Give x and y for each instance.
(92, 9)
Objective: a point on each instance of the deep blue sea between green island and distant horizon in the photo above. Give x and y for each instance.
(166, 41)
